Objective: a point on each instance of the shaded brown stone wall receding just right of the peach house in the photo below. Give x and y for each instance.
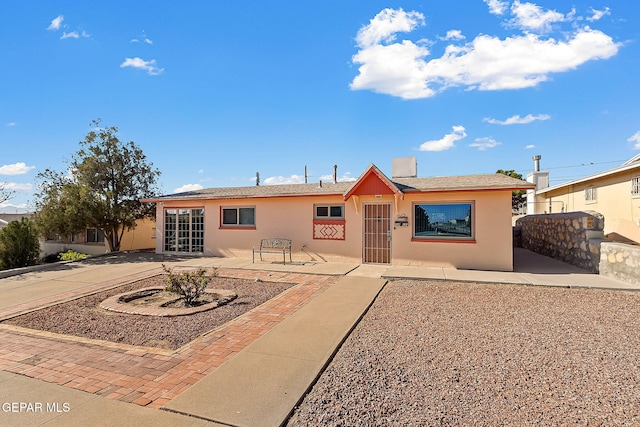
(572, 237)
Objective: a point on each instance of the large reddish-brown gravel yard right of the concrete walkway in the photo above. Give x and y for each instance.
(443, 353)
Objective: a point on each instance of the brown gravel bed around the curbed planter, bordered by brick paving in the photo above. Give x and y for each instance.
(83, 317)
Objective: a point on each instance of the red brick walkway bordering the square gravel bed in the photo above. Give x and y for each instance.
(142, 375)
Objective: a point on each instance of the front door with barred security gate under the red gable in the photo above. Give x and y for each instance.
(377, 233)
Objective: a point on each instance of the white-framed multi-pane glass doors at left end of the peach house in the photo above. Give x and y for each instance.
(184, 230)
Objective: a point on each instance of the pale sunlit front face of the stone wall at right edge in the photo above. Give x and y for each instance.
(620, 261)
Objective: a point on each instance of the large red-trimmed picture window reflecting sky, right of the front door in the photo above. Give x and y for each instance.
(448, 221)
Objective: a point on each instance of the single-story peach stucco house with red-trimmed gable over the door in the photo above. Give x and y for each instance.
(458, 221)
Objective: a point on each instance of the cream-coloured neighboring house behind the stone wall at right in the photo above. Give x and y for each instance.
(615, 193)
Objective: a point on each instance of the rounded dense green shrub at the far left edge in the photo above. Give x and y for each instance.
(19, 246)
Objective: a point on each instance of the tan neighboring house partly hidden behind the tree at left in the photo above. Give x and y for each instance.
(91, 241)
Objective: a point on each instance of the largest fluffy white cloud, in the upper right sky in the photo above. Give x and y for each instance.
(401, 68)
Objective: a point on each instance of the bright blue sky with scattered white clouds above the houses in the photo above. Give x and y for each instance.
(214, 91)
